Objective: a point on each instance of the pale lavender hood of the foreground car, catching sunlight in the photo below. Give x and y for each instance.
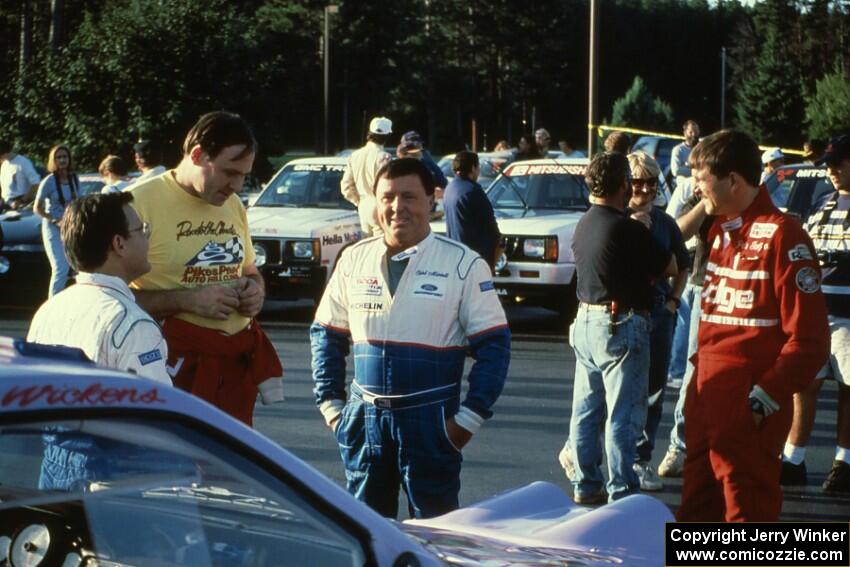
(539, 524)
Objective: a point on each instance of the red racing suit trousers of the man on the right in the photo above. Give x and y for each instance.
(732, 465)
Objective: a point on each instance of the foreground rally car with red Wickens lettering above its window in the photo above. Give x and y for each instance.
(101, 468)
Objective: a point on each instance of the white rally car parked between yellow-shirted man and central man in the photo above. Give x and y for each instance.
(299, 224)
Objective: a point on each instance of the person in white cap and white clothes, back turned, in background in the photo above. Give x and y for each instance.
(358, 181)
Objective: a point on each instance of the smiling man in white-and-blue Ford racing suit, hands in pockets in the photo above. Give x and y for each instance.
(414, 304)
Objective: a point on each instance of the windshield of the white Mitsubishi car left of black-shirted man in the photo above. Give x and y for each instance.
(546, 186)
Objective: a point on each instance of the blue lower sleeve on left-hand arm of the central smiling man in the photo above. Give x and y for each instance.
(328, 347)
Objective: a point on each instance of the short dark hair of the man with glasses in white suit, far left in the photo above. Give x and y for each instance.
(88, 226)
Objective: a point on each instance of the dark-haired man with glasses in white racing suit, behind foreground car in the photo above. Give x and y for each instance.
(108, 244)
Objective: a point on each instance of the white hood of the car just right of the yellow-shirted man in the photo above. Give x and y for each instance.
(297, 222)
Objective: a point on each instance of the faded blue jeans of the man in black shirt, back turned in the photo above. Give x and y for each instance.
(611, 373)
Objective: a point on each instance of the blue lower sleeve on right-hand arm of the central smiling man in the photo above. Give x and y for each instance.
(491, 351)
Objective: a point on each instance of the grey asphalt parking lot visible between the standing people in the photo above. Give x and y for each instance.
(520, 444)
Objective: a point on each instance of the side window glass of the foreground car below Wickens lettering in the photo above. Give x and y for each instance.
(127, 491)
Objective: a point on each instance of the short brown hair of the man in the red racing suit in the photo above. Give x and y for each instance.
(726, 151)
